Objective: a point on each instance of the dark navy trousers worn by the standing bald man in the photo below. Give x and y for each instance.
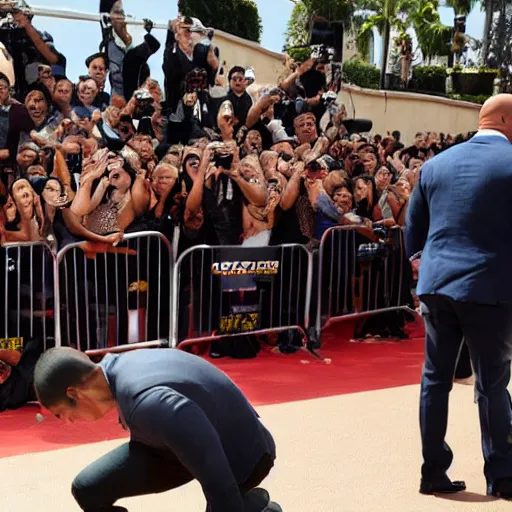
(487, 330)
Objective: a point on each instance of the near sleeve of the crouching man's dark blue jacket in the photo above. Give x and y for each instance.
(180, 425)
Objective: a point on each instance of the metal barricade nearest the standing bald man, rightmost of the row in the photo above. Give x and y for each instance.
(356, 282)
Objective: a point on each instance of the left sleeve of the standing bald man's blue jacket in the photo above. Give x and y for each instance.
(417, 220)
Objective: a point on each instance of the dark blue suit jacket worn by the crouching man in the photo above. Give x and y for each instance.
(184, 407)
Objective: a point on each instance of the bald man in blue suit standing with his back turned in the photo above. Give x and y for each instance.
(460, 216)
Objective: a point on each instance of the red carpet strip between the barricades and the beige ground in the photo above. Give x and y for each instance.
(270, 378)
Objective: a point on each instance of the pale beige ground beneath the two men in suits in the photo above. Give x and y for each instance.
(352, 453)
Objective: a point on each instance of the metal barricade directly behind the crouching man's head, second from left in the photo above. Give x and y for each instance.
(111, 300)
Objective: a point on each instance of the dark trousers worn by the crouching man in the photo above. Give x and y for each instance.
(134, 469)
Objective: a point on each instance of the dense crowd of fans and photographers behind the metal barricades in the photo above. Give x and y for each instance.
(210, 157)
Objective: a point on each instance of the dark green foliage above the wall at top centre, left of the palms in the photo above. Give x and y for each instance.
(237, 17)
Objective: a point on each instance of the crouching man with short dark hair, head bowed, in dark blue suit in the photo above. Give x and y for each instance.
(187, 420)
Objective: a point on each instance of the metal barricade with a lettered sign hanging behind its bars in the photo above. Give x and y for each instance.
(232, 290)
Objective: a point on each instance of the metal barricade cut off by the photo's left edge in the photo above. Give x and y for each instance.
(28, 294)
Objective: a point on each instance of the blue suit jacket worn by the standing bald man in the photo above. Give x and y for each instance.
(460, 215)
